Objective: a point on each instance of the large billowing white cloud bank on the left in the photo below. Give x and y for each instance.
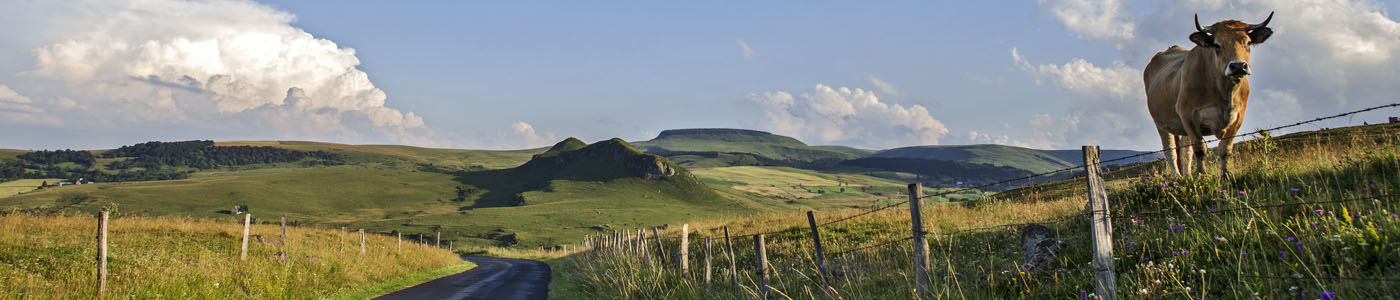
(230, 67)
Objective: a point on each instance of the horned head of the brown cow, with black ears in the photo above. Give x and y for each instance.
(1231, 41)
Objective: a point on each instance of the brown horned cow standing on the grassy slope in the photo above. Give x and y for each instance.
(1202, 92)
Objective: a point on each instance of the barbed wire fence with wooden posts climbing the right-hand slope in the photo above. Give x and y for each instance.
(761, 274)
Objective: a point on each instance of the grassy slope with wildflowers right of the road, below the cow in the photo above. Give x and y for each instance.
(1255, 236)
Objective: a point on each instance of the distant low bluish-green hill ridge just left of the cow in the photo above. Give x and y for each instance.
(1030, 161)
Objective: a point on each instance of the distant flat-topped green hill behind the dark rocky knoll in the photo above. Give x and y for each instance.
(726, 148)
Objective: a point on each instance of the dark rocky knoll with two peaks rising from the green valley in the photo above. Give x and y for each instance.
(615, 152)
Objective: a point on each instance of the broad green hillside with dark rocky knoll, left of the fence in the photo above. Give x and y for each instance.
(563, 194)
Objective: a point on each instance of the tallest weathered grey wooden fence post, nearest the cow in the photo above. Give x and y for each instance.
(1104, 278)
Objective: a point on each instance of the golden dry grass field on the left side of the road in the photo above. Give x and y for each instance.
(52, 257)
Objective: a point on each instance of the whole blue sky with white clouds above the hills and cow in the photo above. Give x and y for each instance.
(516, 75)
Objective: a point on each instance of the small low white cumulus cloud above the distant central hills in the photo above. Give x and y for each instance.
(843, 116)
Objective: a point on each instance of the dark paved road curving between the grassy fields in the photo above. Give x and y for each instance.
(493, 278)
